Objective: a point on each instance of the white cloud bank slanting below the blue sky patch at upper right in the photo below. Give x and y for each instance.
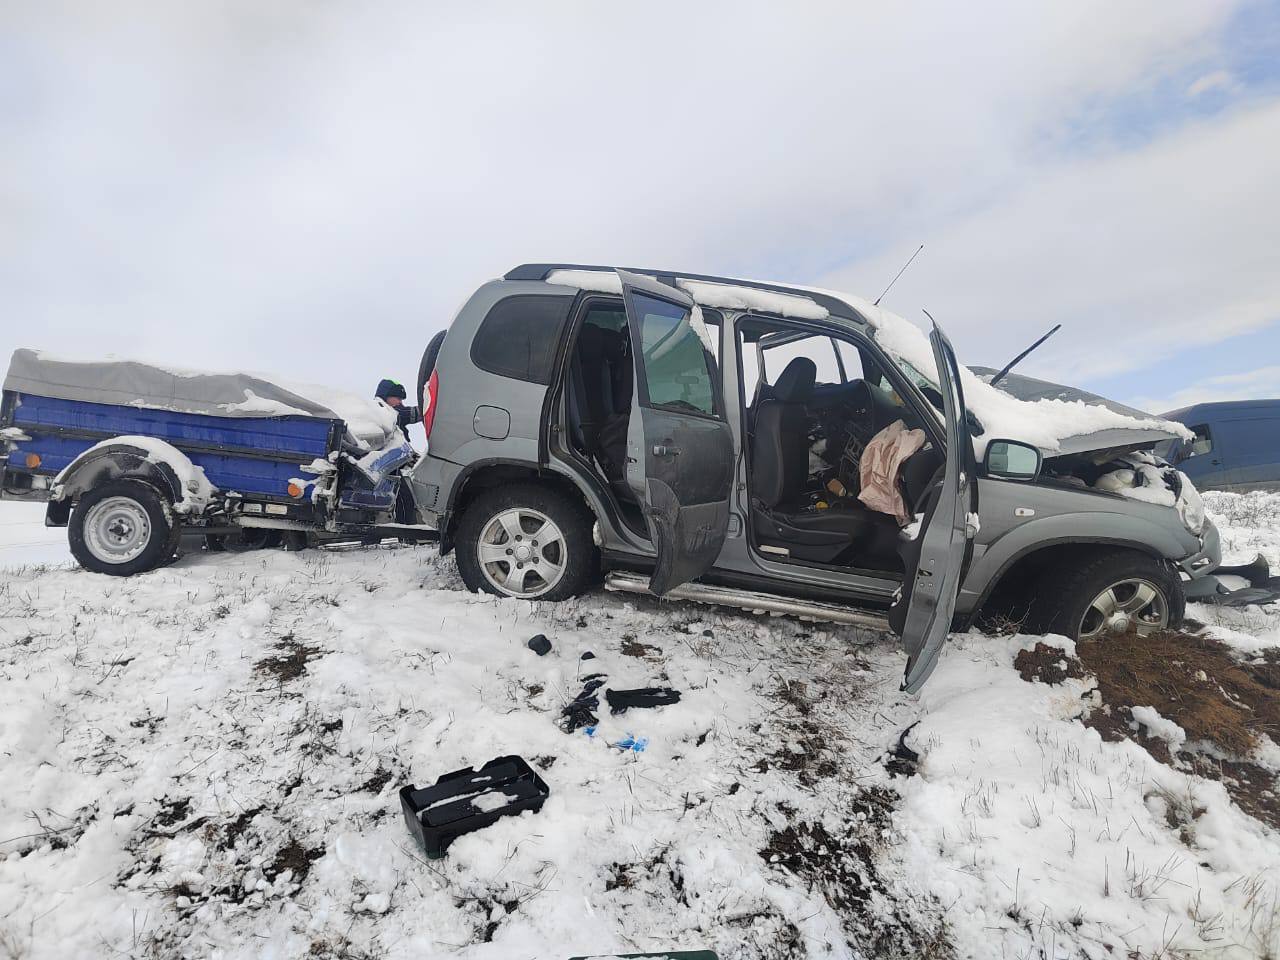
(1140, 254)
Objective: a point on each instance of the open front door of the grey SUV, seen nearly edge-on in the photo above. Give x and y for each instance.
(935, 561)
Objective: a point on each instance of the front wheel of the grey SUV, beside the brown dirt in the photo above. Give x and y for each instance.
(1110, 595)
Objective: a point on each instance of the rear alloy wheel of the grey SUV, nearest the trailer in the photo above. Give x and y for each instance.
(525, 542)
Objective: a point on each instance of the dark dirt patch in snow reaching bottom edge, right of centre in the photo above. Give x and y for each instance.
(843, 867)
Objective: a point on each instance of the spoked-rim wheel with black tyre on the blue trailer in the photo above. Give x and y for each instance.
(122, 528)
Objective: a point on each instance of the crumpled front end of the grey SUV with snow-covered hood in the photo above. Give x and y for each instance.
(1100, 487)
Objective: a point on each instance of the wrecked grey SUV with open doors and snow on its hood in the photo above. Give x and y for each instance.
(698, 437)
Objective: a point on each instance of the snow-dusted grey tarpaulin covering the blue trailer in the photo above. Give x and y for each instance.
(132, 383)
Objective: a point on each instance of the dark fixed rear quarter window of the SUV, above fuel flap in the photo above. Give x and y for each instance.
(520, 336)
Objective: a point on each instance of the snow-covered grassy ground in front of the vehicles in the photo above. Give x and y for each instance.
(204, 762)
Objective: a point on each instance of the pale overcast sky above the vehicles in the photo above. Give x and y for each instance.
(313, 189)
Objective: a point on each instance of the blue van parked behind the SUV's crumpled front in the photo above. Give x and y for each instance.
(1237, 445)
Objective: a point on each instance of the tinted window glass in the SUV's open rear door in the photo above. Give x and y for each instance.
(679, 368)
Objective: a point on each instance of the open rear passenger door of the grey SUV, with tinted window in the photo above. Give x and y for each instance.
(680, 451)
